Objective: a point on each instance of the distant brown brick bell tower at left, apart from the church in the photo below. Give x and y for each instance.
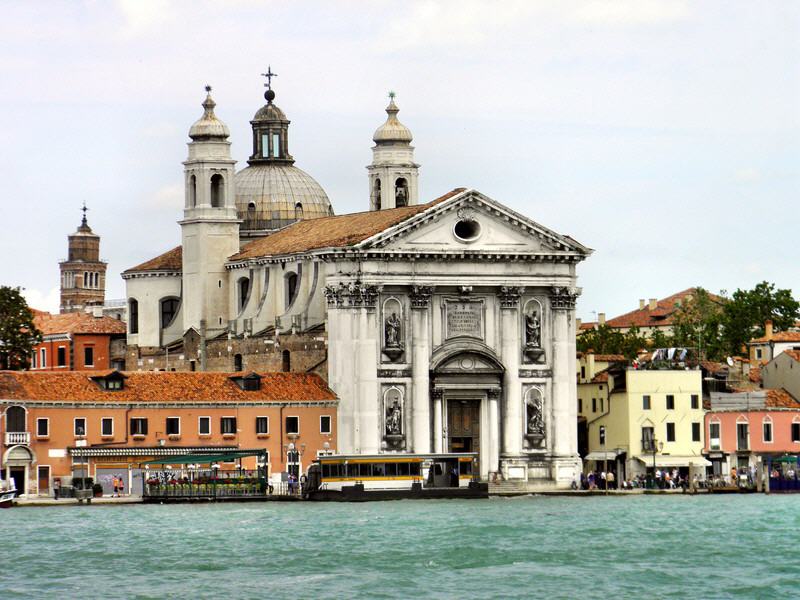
(83, 274)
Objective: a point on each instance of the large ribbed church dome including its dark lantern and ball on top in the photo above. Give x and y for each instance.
(271, 192)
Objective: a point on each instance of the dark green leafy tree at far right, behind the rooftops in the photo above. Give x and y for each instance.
(748, 310)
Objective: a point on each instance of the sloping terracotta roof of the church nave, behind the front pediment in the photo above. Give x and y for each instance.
(333, 232)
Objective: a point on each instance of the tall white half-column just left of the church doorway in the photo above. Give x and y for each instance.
(420, 368)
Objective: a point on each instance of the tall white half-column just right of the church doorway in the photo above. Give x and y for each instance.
(512, 390)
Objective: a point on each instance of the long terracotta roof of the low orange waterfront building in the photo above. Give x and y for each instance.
(150, 386)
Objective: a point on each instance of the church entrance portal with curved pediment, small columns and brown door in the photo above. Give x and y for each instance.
(467, 377)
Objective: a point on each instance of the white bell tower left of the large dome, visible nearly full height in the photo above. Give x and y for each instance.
(210, 228)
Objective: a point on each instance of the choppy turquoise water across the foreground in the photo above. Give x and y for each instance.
(546, 547)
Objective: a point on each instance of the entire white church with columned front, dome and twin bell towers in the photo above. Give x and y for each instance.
(445, 326)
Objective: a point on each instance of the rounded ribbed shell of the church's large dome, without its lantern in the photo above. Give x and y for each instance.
(271, 196)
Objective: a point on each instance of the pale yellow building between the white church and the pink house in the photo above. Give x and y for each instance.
(629, 420)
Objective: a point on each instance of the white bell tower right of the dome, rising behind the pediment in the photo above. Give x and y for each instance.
(393, 173)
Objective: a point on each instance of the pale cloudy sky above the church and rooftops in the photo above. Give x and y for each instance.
(662, 134)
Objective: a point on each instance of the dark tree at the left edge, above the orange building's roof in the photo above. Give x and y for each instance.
(18, 334)
